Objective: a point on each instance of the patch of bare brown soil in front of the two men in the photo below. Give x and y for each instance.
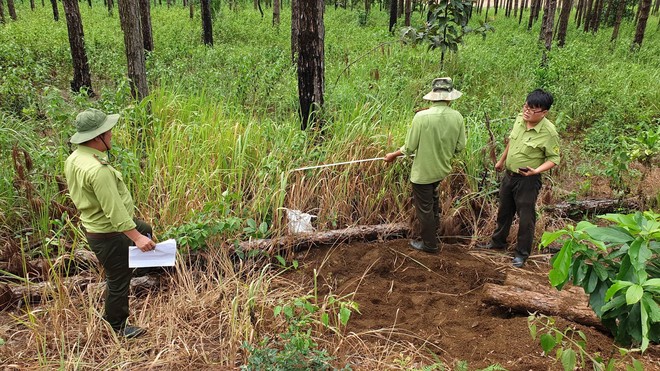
(435, 303)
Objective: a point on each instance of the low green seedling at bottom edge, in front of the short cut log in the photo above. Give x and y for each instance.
(570, 345)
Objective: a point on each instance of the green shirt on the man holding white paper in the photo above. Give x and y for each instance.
(98, 191)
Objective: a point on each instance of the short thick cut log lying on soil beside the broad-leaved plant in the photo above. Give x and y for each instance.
(526, 301)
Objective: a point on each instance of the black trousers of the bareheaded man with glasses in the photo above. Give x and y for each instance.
(518, 195)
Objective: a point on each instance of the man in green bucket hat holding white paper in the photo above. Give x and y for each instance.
(106, 211)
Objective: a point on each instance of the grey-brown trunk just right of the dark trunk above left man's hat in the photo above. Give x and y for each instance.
(129, 16)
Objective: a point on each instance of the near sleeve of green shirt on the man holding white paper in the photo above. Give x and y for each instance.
(106, 189)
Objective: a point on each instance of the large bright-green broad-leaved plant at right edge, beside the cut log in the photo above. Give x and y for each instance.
(617, 266)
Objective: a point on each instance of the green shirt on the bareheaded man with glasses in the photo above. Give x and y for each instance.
(532, 147)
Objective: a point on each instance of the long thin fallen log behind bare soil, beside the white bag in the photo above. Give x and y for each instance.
(304, 240)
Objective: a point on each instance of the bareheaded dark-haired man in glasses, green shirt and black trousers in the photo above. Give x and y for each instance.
(533, 148)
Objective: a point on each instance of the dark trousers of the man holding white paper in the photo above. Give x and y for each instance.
(112, 253)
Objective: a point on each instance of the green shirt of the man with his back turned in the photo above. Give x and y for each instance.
(435, 136)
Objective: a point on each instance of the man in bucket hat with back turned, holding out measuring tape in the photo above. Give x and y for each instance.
(435, 136)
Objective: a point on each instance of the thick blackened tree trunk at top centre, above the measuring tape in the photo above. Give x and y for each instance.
(311, 59)
